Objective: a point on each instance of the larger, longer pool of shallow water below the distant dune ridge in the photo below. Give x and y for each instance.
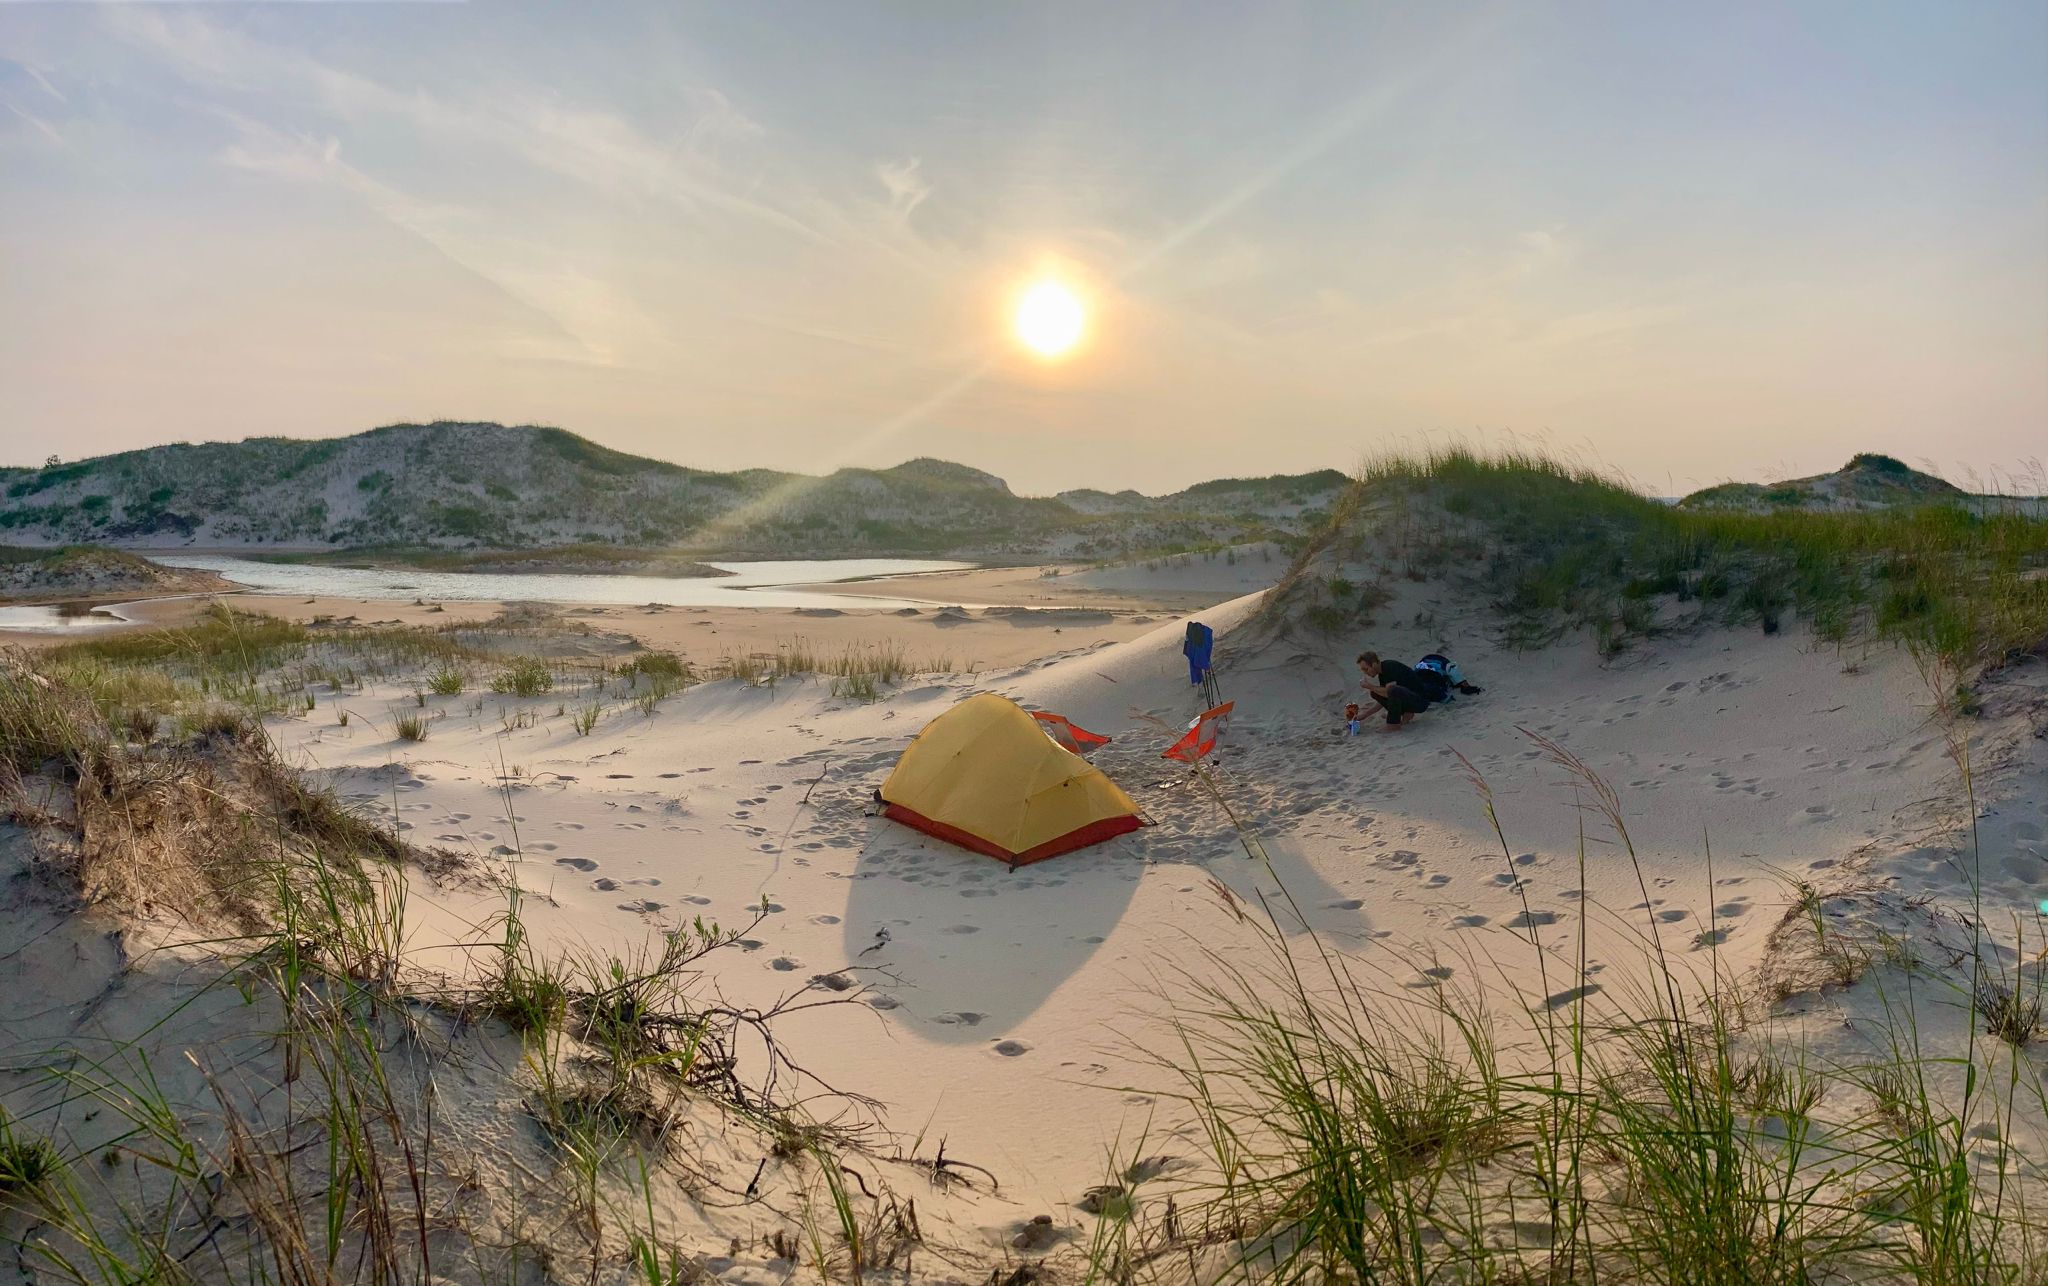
(749, 587)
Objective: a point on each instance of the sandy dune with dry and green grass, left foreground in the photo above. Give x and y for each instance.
(228, 1062)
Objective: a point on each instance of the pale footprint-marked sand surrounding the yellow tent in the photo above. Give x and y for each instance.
(1011, 1013)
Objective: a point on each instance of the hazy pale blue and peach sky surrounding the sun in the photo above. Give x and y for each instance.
(1691, 243)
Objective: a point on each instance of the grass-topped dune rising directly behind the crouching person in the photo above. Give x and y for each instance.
(1560, 550)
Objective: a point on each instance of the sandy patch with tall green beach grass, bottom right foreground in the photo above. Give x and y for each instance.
(1596, 1127)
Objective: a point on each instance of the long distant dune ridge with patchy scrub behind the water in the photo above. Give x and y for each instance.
(470, 486)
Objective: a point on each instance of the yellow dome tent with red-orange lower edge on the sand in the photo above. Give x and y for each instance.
(984, 777)
